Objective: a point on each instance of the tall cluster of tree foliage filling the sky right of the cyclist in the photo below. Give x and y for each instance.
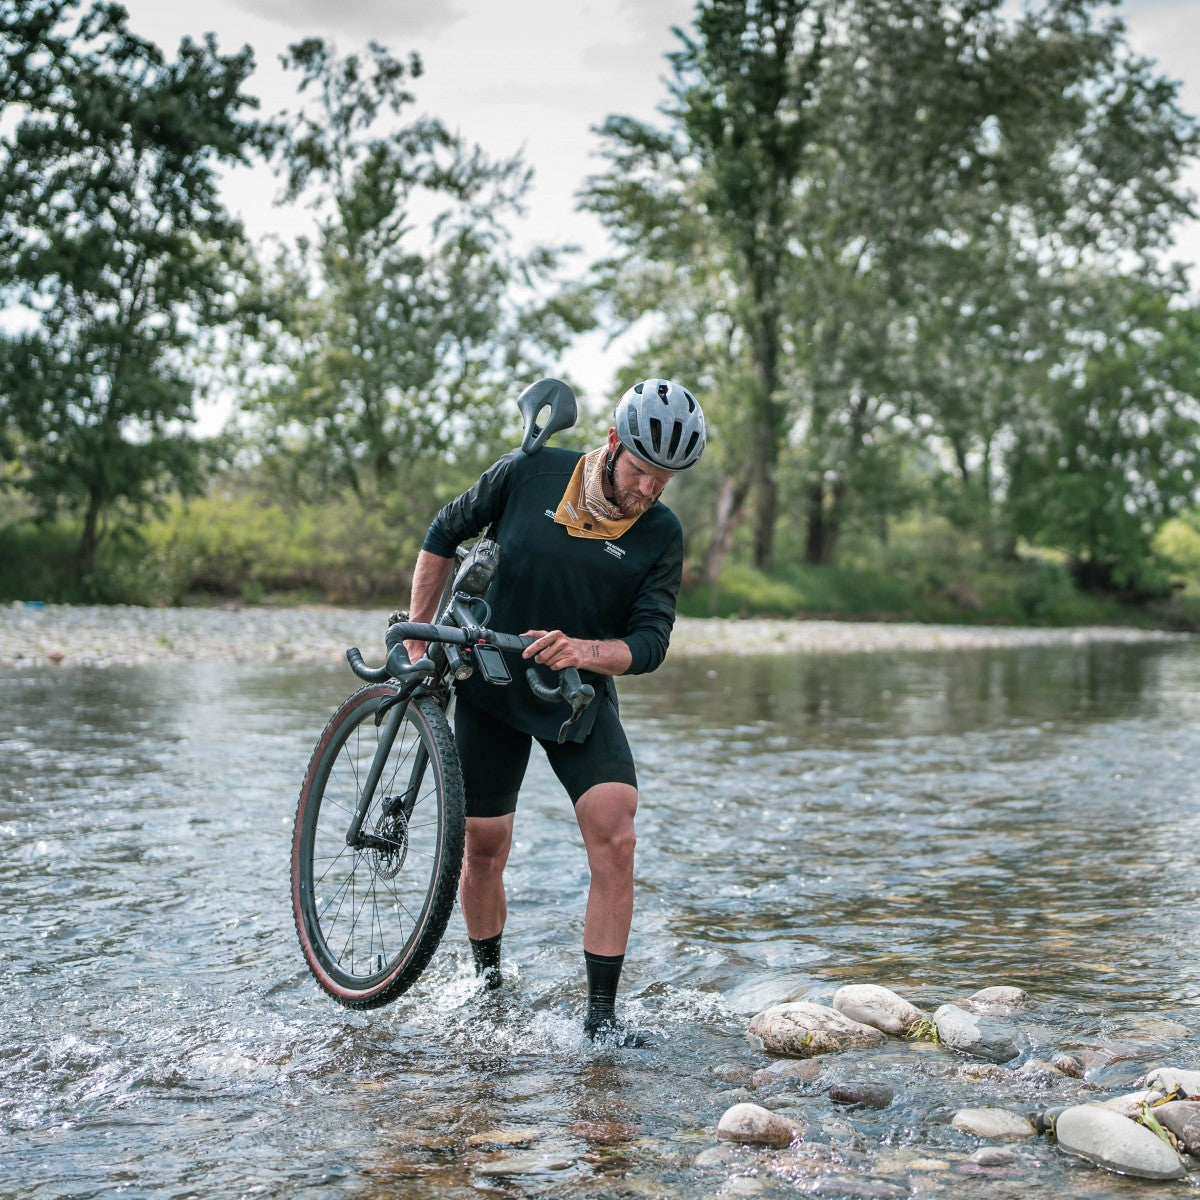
(887, 219)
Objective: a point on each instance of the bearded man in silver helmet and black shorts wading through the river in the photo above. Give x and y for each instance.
(586, 548)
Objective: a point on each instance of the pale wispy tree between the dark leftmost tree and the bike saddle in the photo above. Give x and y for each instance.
(397, 331)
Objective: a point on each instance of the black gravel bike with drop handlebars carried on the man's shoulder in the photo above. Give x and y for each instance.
(379, 838)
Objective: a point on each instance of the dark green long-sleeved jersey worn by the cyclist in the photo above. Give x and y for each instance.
(589, 589)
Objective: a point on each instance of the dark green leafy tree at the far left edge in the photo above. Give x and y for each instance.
(117, 256)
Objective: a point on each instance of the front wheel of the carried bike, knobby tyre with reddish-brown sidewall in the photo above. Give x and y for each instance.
(371, 915)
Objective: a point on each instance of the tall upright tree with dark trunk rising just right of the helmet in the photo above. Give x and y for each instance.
(710, 206)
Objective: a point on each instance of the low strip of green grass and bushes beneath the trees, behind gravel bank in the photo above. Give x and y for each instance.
(251, 550)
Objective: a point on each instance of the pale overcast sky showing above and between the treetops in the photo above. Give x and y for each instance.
(537, 76)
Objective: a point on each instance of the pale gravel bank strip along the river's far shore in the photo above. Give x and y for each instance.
(113, 637)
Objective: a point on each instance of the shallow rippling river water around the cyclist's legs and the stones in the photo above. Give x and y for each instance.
(935, 824)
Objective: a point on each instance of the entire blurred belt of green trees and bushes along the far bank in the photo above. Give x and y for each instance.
(909, 254)
